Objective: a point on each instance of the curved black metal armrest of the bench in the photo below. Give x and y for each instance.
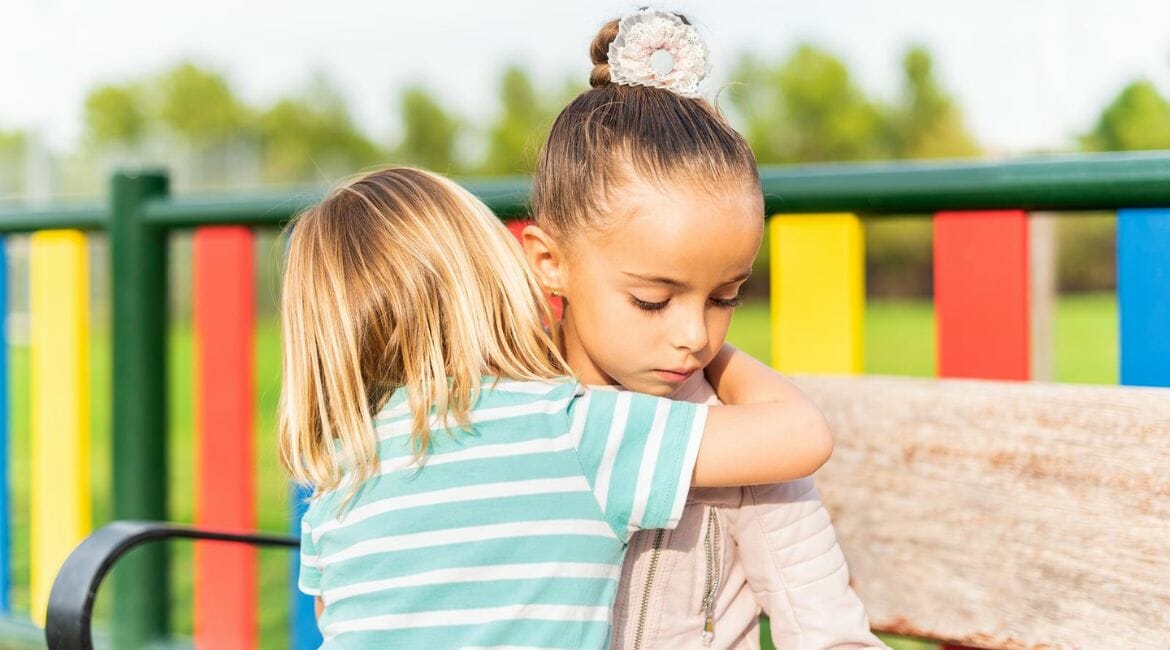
(67, 626)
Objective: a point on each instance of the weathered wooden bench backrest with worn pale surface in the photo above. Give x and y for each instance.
(1003, 515)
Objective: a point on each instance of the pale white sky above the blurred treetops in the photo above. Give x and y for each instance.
(1030, 74)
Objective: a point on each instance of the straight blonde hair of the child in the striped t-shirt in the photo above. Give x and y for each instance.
(400, 280)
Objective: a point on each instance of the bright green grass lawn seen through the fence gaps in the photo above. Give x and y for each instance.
(899, 341)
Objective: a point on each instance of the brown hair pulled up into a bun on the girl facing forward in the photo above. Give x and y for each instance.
(612, 135)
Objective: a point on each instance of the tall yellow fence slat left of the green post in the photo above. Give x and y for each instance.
(59, 396)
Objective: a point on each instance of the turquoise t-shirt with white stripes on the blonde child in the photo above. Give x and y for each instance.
(511, 535)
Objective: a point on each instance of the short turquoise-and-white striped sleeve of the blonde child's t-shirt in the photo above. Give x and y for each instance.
(638, 454)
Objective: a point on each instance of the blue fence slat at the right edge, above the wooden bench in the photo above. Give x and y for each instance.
(1144, 296)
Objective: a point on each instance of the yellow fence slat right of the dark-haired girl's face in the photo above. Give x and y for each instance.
(818, 293)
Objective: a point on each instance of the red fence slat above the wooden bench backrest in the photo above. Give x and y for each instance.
(982, 295)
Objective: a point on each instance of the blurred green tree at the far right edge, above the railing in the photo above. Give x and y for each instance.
(1138, 119)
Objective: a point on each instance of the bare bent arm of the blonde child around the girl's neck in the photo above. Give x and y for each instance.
(773, 434)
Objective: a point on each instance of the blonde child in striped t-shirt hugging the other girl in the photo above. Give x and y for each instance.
(467, 492)
